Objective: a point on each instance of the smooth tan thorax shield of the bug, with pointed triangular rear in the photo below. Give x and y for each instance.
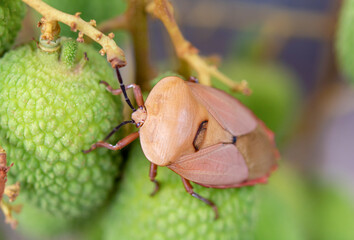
(173, 117)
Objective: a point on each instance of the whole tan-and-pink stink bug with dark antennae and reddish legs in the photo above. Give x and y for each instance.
(199, 132)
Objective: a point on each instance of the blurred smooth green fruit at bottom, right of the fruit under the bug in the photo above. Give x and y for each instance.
(284, 207)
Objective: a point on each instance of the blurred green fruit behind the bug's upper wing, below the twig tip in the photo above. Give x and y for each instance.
(275, 97)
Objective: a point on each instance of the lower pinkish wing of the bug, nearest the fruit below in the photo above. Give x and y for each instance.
(216, 166)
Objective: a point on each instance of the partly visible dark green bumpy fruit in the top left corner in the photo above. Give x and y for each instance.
(11, 15)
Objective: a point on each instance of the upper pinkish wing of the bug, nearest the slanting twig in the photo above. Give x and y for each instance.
(228, 111)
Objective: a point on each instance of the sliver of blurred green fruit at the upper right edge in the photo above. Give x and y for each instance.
(345, 39)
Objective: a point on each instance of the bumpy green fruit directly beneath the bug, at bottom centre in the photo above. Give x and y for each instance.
(172, 213)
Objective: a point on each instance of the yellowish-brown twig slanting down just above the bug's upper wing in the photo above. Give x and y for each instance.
(163, 10)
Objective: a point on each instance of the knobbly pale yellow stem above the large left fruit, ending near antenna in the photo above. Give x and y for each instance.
(115, 55)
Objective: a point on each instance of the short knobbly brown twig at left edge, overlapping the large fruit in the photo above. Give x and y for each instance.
(10, 191)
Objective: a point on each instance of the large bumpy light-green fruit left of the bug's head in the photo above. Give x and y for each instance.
(48, 115)
